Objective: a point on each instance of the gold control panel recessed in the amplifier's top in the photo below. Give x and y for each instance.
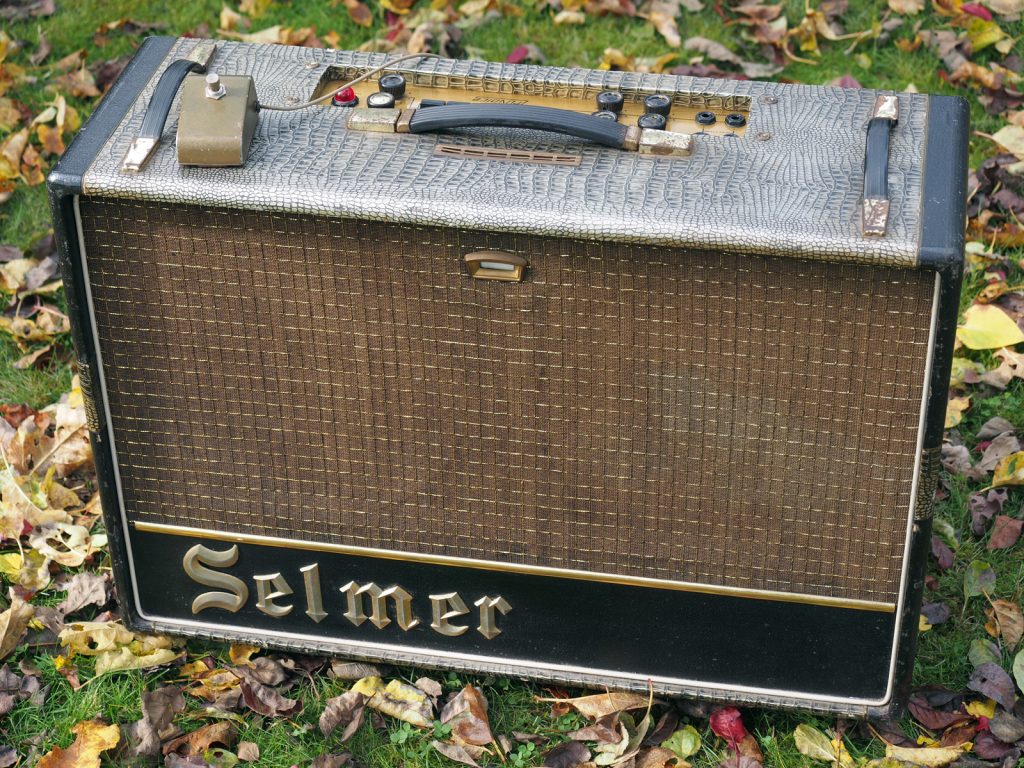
(690, 113)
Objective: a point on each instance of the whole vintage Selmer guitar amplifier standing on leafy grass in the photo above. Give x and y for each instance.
(604, 378)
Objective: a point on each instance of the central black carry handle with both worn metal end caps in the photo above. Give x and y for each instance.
(607, 133)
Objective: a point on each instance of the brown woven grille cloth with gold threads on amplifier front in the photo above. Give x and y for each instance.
(724, 419)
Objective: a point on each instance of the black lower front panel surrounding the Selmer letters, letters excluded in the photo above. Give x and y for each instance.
(626, 629)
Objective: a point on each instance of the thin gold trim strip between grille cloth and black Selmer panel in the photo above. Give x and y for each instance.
(466, 563)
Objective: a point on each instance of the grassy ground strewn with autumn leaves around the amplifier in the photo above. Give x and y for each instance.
(78, 690)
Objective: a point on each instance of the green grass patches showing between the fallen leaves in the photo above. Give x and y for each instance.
(943, 658)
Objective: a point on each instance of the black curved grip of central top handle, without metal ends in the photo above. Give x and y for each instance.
(607, 133)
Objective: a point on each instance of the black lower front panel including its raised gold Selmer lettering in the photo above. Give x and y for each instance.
(369, 603)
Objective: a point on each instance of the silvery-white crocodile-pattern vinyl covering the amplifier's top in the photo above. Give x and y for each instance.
(797, 193)
